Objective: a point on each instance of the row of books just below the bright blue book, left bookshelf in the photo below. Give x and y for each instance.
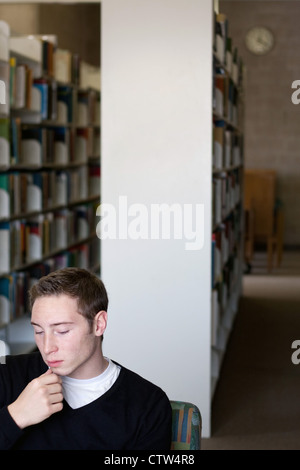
(39, 145)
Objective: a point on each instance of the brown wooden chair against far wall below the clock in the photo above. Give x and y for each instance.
(267, 215)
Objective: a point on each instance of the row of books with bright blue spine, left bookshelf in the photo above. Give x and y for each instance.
(44, 97)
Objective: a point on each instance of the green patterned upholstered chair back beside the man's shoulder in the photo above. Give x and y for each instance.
(186, 426)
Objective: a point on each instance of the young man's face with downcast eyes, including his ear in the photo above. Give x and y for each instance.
(64, 337)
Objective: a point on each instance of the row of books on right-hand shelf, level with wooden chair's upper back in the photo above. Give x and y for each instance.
(226, 194)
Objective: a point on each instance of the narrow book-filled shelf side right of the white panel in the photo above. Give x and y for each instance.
(227, 189)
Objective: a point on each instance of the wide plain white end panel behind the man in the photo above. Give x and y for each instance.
(156, 148)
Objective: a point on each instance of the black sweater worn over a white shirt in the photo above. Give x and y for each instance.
(133, 414)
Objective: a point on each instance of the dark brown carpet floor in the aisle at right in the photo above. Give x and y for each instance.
(256, 404)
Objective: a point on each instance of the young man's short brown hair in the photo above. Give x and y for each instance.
(77, 283)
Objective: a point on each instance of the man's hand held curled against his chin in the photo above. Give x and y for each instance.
(40, 399)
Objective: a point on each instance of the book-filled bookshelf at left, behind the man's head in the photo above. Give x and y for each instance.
(49, 172)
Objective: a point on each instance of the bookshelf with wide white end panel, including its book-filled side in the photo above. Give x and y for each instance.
(161, 119)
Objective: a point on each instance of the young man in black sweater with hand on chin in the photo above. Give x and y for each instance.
(68, 395)
